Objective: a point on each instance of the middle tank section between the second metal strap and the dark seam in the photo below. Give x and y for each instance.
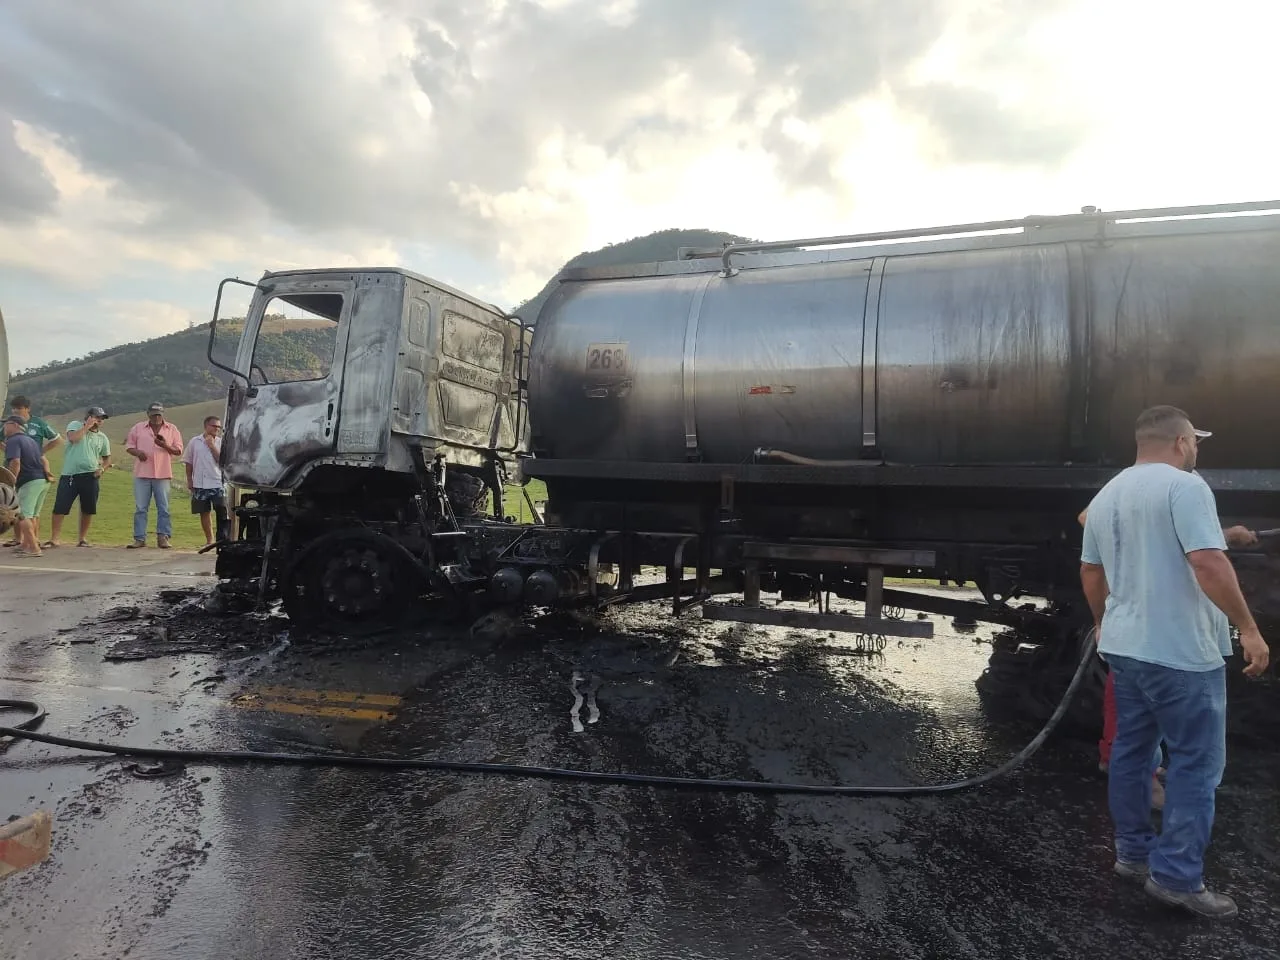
(973, 354)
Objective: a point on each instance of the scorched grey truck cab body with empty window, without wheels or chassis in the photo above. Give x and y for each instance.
(344, 378)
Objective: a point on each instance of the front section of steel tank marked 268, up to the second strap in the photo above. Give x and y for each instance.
(712, 368)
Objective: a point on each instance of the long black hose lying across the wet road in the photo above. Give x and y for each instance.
(515, 770)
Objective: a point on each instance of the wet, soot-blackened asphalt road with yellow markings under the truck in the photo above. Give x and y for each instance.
(322, 863)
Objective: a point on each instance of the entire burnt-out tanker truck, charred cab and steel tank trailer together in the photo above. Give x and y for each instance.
(769, 426)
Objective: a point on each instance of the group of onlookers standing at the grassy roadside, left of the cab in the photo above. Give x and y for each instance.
(153, 444)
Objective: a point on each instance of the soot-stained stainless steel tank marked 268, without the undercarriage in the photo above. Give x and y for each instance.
(1036, 346)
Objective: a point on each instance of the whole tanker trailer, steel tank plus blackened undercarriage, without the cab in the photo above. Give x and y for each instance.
(807, 418)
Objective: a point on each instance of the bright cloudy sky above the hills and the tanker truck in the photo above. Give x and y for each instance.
(150, 148)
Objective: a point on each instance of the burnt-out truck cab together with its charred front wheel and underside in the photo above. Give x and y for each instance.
(406, 417)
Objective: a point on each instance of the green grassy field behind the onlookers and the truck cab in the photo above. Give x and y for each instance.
(113, 527)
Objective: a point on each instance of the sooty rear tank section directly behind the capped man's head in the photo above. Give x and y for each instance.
(1195, 322)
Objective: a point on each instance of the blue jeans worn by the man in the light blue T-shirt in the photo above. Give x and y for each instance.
(1188, 710)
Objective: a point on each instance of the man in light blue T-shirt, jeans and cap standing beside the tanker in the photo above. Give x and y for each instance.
(1162, 589)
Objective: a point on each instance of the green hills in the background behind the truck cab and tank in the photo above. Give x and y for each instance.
(175, 369)
